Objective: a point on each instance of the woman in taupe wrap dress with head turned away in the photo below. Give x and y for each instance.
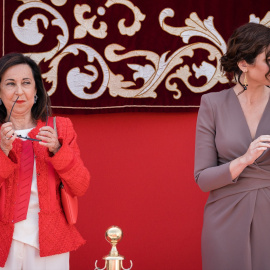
(232, 157)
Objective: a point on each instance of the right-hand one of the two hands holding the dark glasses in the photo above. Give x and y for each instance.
(48, 137)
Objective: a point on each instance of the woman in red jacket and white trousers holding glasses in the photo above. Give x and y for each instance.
(34, 233)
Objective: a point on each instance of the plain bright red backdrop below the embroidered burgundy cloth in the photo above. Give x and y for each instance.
(142, 181)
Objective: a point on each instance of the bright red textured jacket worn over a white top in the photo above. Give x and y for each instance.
(55, 234)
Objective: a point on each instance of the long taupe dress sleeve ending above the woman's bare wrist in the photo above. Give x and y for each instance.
(208, 174)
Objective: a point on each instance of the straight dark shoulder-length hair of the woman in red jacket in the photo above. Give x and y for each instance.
(39, 109)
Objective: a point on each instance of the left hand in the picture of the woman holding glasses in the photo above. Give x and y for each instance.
(8, 136)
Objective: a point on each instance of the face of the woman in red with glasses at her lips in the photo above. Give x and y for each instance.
(17, 81)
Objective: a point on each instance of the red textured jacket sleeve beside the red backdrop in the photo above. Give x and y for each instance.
(67, 161)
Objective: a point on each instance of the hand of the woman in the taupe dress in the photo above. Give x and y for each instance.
(256, 148)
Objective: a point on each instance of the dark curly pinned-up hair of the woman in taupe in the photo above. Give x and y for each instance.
(246, 43)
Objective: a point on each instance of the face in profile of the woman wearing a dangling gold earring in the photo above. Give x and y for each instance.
(256, 72)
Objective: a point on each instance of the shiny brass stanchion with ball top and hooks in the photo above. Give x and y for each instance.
(114, 261)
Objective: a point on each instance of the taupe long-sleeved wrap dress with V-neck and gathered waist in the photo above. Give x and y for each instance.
(236, 227)
